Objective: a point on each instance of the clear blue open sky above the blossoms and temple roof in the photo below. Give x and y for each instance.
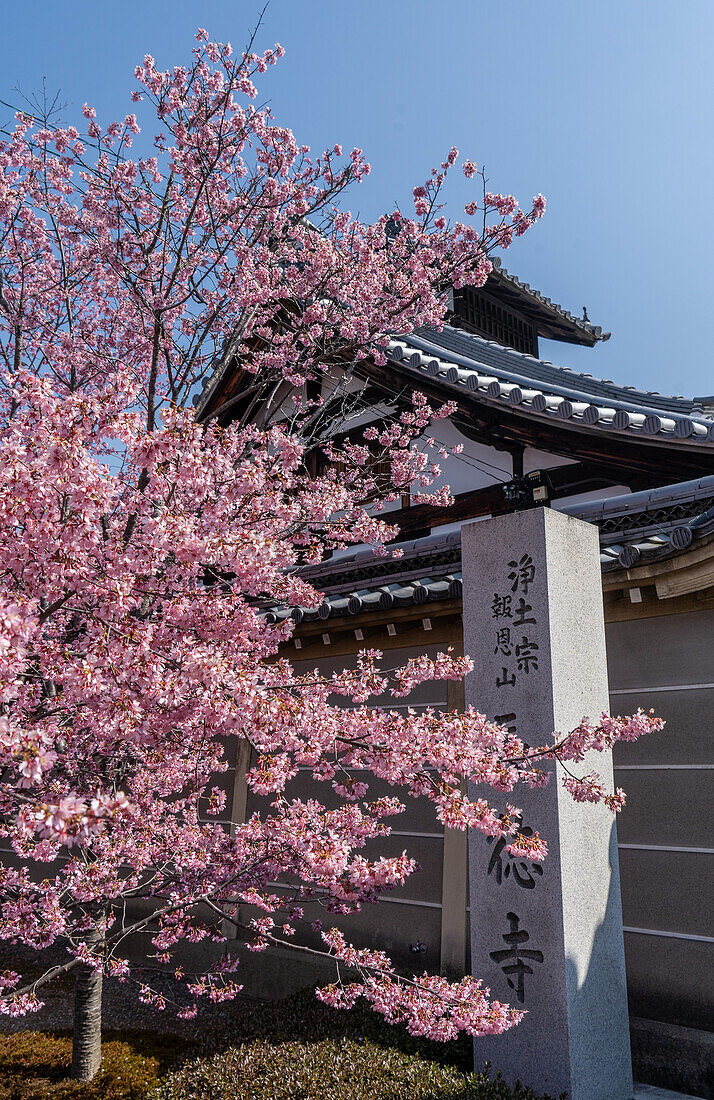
(607, 108)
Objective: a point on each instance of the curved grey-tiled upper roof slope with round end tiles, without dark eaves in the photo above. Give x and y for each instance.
(503, 377)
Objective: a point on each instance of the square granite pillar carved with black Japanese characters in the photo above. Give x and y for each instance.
(546, 938)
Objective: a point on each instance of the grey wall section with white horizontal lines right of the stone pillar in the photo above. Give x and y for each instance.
(667, 831)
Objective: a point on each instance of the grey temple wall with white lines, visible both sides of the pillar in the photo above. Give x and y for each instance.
(665, 662)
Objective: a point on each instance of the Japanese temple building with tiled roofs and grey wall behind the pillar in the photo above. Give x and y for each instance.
(641, 467)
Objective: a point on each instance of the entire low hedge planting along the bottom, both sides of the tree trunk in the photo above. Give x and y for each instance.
(291, 1050)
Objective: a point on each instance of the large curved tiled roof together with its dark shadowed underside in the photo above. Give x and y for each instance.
(507, 400)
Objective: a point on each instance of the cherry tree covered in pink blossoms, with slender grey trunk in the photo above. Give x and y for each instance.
(140, 548)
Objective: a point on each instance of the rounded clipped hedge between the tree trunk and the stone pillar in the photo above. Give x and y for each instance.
(301, 1050)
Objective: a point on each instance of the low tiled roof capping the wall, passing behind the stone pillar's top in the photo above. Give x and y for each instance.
(635, 530)
